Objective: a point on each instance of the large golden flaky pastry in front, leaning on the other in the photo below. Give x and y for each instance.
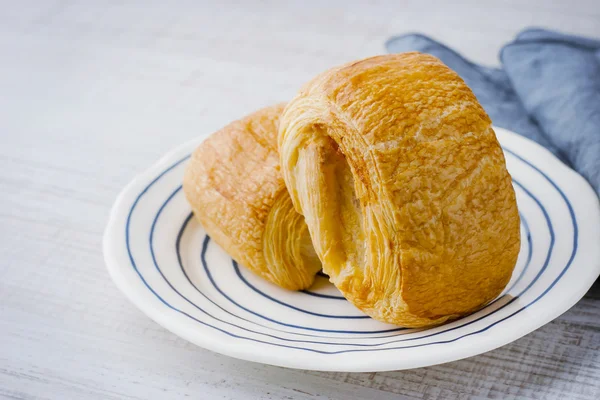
(403, 185)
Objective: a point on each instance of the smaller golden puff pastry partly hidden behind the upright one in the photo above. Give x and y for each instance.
(235, 187)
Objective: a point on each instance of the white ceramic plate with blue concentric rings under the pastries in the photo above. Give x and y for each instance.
(162, 259)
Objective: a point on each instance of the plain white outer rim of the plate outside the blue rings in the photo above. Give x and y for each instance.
(138, 295)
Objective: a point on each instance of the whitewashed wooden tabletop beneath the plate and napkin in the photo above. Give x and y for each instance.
(91, 93)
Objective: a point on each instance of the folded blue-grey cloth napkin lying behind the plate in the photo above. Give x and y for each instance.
(548, 89)
